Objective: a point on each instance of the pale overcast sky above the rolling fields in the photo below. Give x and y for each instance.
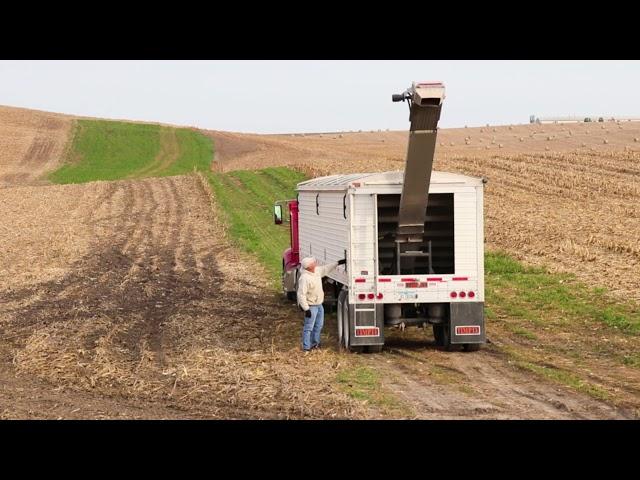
(268, 96)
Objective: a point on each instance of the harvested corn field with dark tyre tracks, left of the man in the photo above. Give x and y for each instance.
(141, 316)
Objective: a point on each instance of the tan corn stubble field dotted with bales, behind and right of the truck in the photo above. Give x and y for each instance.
(549, 200)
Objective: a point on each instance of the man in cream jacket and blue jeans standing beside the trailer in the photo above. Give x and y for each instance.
(310, 298)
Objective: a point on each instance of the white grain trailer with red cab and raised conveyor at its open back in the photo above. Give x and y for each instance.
(413, 241)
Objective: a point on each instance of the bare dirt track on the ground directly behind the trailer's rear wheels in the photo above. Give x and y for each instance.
(481, 385)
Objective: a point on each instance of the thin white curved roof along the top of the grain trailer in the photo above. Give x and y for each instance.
(342, 182)
